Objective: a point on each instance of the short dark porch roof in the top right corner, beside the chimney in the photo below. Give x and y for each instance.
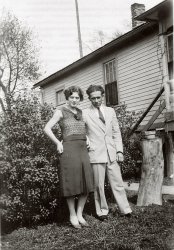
(157, 12)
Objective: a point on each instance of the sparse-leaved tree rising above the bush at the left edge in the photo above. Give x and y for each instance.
(18, 58)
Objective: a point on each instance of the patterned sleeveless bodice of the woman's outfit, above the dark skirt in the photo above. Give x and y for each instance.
(72, 124)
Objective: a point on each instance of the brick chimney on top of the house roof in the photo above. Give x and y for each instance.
(136, 10)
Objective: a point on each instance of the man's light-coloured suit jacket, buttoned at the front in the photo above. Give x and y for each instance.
(105, 139)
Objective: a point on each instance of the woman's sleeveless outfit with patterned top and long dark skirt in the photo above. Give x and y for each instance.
(76, 176)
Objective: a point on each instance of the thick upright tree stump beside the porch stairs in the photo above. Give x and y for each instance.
(150, 189)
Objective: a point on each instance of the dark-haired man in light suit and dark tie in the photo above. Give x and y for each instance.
(105, 151)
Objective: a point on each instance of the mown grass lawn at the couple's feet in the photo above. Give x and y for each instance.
(149, 228)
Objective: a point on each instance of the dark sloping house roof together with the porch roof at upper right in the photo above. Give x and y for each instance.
(137, 33)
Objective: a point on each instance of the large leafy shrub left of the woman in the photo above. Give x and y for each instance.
(29, 163)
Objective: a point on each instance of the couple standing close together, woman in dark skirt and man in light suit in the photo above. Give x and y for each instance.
(91, 146)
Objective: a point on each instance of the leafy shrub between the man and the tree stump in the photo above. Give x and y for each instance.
(132, 149)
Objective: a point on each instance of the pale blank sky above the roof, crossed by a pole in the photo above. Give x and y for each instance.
(54, 25)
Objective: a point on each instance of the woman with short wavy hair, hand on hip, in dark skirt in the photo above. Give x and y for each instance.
(76, 177)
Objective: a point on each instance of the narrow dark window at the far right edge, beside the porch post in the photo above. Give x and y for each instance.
(170, 52)
